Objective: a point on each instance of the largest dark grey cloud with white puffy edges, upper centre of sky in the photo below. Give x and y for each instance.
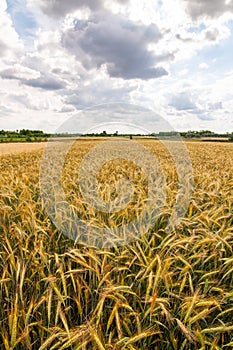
(117, 43)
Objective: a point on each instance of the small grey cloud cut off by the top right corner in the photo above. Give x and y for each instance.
(209, 8)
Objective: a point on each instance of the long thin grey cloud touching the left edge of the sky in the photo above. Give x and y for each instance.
(46, 82)
